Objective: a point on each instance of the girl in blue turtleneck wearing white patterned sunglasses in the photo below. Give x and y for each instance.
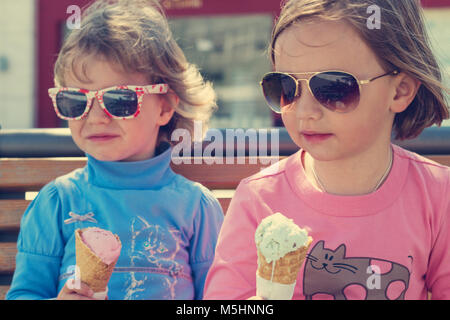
(124, 86)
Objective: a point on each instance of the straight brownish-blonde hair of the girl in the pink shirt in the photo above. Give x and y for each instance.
(401, 44)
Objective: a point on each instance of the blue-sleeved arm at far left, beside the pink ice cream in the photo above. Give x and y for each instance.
(40, 249)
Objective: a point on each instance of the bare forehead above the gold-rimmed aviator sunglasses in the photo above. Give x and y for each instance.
(317, 45)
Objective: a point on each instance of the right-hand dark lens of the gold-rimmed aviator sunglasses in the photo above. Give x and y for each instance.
(336, 91)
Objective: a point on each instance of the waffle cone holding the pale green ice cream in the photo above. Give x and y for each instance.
(286, 268)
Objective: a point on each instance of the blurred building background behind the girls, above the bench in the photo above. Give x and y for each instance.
(227, 39)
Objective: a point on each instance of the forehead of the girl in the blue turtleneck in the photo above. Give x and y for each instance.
(95, 73)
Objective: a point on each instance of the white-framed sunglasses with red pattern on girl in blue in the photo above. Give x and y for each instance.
(119, 102)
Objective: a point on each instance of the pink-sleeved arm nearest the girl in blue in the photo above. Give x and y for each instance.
(233, 272)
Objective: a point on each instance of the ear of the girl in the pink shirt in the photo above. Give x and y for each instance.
(405, 90)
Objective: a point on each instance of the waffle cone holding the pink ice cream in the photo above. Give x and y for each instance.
(93, 271)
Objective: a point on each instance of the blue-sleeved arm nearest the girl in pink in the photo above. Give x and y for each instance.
(207, 224)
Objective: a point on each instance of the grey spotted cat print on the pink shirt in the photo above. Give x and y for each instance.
(330, 273)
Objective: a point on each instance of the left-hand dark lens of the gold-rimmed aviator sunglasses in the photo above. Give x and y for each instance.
(279, 90)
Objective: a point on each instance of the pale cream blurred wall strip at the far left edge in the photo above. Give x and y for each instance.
(17, 63)
